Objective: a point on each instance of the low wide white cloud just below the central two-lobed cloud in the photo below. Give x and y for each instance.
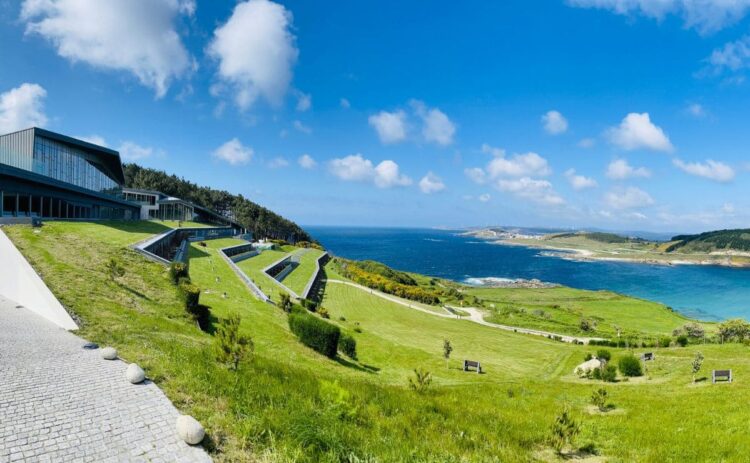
(355, 168)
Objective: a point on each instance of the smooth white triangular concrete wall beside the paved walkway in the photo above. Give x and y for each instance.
(20, 283)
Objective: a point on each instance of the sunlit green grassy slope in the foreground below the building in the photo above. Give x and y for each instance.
(274, 409)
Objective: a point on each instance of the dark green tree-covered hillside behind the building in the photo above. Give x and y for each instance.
(262, 222)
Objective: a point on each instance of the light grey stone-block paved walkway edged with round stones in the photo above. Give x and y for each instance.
(60, 402)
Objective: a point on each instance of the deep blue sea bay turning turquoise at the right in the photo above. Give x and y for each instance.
(704, 292)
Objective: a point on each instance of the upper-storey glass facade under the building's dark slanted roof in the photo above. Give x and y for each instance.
(70, 165)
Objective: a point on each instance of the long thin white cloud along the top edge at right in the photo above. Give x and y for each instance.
(704, 15)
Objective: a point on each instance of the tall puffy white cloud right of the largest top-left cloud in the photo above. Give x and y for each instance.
(256, 52)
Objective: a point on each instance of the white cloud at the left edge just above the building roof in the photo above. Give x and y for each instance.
(22, 107)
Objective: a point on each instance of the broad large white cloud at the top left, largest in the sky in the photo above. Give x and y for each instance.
(137, 36)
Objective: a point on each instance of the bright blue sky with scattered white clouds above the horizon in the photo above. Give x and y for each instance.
(617, 114)
